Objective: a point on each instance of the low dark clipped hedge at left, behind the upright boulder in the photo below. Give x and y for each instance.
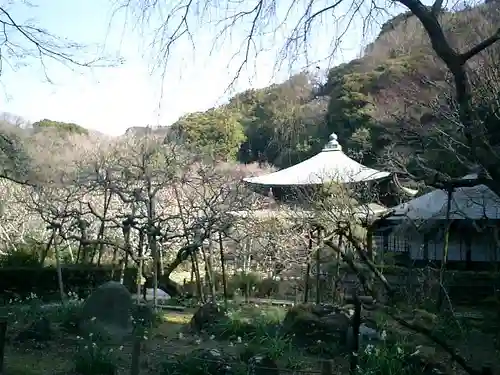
(22, 282)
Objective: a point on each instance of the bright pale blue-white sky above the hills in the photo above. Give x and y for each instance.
(111, 99)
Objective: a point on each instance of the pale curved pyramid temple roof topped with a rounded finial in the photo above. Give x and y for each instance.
(331, 164)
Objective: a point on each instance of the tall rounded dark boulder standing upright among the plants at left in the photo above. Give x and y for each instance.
(107, 312)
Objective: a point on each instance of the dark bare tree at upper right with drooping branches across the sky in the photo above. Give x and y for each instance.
(261, 18)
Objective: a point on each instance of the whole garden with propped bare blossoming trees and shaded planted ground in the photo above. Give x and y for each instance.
(84, 263)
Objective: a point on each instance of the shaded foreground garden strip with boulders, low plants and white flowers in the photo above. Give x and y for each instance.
(108, 333)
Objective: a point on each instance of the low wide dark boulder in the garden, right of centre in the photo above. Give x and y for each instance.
(310, 324)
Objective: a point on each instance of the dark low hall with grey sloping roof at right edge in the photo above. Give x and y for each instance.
(458, 223)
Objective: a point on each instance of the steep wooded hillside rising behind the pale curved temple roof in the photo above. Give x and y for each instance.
(392, 108)
